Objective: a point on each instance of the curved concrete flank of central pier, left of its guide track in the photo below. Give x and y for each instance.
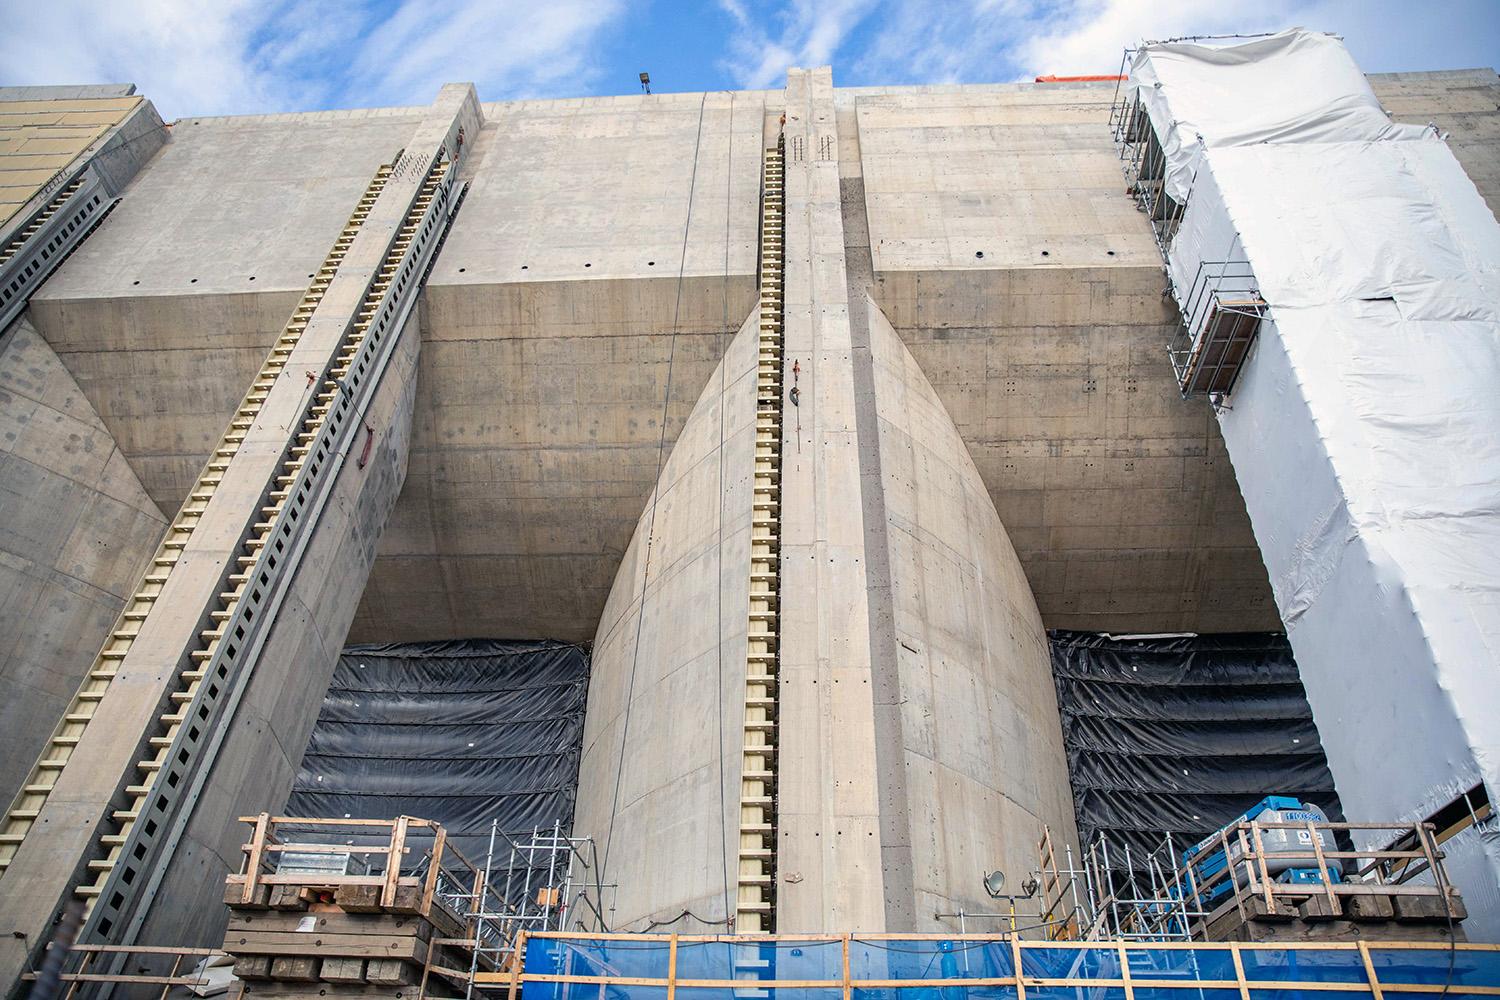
(659, 777)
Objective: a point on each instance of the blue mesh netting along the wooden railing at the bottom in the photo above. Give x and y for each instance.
(763, 963)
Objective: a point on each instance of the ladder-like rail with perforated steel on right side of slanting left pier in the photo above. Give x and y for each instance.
(190, 735)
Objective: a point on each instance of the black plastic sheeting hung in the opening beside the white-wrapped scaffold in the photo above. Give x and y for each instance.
(1183, 735)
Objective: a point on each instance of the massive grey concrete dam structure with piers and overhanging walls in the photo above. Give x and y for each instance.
(566, 436)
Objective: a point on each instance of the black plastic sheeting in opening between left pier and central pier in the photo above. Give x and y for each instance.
(458, 732)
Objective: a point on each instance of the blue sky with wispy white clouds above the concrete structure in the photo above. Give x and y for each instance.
(200, 58)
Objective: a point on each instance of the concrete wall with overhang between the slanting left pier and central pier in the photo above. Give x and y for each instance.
(602, 262)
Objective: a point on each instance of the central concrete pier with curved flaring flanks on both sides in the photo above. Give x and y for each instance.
(917, 740)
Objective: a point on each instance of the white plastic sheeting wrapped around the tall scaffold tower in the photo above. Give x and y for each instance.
(1366, 425)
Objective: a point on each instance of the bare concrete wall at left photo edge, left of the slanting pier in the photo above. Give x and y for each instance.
(76, 533)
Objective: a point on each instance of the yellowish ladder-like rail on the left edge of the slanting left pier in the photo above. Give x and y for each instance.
(49, 768)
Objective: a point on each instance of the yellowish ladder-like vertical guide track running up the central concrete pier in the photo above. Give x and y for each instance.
(755, 911)
